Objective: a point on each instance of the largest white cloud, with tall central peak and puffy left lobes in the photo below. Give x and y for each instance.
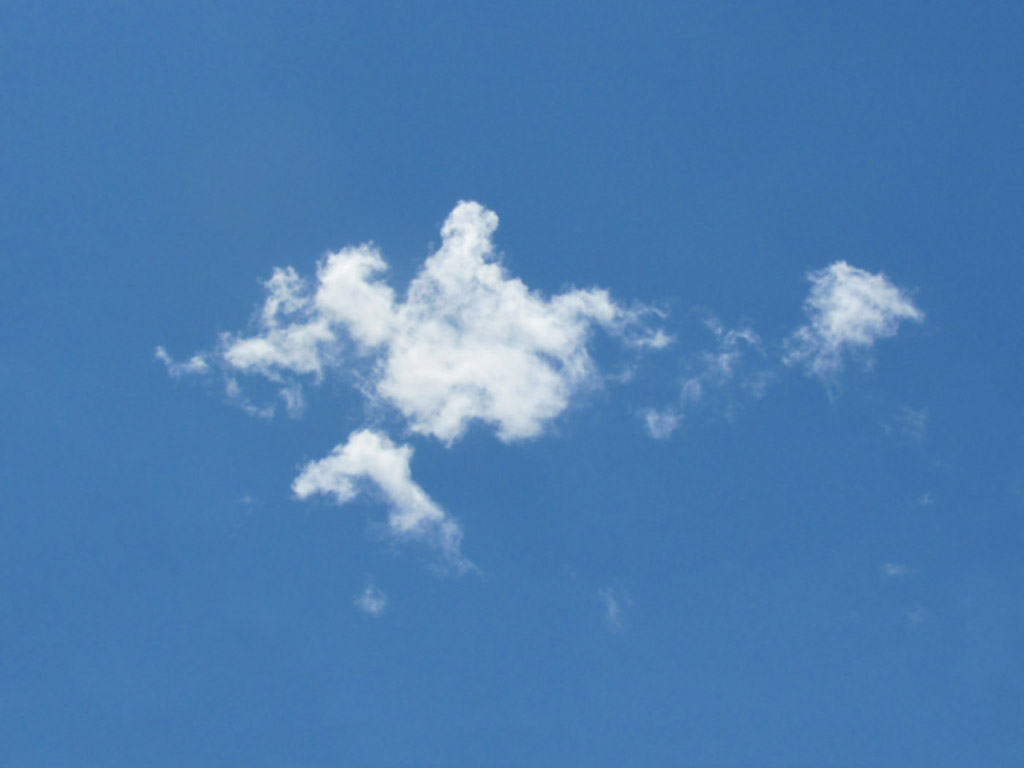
(468, 344)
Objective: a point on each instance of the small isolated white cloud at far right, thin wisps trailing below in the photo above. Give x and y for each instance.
(848, 309)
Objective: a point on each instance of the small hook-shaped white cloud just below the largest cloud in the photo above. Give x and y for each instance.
(370, 456)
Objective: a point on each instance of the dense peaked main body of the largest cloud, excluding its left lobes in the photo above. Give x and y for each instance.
(473, 344)
